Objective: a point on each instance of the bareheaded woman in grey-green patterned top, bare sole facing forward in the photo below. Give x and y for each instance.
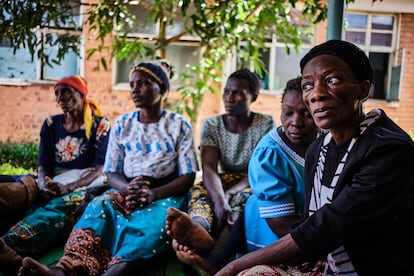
(227, 142)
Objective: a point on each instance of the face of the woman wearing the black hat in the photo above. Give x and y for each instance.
(331, 91)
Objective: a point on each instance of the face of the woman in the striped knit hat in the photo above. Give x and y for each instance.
(145, 91)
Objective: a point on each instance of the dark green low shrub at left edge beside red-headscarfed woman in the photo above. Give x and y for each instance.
(22, 155)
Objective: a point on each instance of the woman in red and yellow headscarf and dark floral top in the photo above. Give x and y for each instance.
(71, 155)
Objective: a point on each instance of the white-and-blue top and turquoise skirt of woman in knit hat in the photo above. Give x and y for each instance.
(155, 150)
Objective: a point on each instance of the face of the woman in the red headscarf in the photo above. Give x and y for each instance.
(68, 98)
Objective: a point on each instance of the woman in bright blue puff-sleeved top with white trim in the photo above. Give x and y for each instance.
(276, 172)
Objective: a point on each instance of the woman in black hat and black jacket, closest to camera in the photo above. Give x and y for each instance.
(360, 185)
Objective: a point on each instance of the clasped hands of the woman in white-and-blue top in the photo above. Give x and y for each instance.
(137, 194)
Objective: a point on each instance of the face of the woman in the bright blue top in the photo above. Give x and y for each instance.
(296, 119)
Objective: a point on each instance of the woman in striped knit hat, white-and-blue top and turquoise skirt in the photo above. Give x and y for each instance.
(151, 164)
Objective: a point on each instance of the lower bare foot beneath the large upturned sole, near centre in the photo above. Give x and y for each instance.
(190, 257)
